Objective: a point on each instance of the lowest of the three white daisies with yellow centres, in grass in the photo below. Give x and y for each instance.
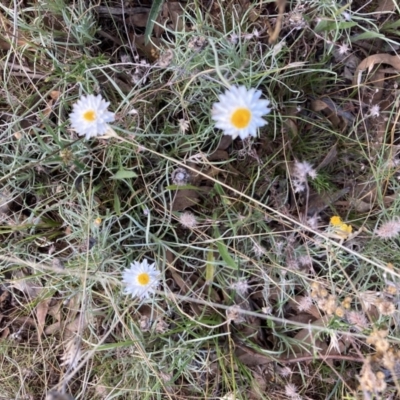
(141, 279)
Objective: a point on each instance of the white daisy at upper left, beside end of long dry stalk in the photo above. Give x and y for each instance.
(90, 116)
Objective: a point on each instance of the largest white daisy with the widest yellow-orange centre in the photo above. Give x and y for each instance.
(239, 112)
